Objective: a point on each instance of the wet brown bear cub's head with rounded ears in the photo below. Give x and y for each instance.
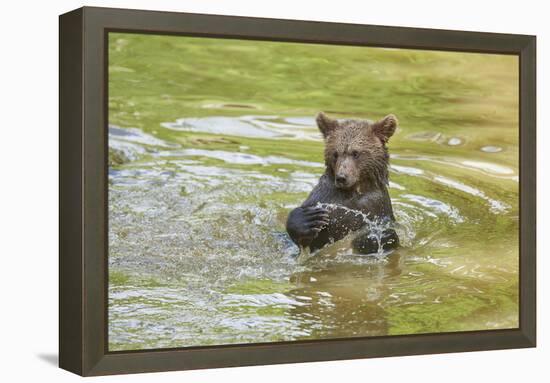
(355, 150)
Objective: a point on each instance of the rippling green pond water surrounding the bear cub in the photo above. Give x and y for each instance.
(212, 142)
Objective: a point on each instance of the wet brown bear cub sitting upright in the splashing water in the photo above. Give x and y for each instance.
(352, 194)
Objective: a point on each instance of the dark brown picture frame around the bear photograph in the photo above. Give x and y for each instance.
(83, 274)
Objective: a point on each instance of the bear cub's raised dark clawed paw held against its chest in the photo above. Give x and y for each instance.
(304, 223)
